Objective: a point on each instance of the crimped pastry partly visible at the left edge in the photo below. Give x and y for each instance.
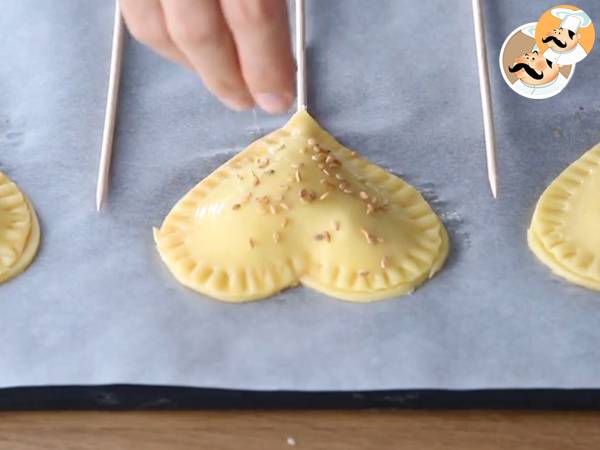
(19, 230)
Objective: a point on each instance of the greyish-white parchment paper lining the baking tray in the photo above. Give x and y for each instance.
(393, 79)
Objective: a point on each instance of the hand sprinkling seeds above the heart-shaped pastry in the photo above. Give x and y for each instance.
(241, 49)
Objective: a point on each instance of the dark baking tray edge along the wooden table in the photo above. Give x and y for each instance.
(135, 397)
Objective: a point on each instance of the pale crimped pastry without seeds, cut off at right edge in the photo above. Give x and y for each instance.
(565, 230)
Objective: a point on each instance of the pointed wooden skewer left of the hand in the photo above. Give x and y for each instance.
(111, 108)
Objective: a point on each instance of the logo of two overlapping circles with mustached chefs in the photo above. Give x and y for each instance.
(538, 59)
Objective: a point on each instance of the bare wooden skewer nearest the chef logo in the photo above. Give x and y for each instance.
(486, 96)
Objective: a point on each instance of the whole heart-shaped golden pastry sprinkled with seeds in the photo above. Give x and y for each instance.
(298, 207)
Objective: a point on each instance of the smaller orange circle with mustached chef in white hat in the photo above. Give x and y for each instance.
(565, 34)
